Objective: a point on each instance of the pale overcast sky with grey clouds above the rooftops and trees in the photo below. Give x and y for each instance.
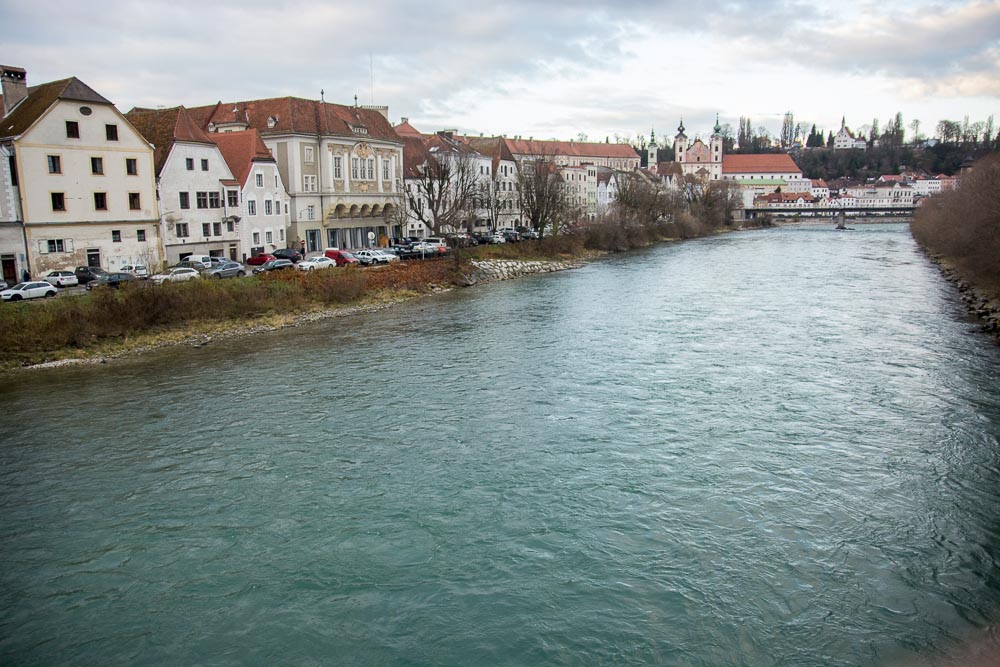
(542, 69)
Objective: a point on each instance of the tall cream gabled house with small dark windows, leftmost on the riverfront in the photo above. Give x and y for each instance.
(83, 177)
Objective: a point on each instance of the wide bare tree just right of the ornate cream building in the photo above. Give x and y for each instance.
(442, 196)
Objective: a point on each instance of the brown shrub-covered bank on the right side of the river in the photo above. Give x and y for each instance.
(961, 231)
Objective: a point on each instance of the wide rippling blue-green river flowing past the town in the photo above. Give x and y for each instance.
(776, 447)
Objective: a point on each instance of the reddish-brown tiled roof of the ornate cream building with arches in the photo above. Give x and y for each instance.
(283, 115)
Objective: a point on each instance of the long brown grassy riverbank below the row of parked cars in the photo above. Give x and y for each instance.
(110, 322)
